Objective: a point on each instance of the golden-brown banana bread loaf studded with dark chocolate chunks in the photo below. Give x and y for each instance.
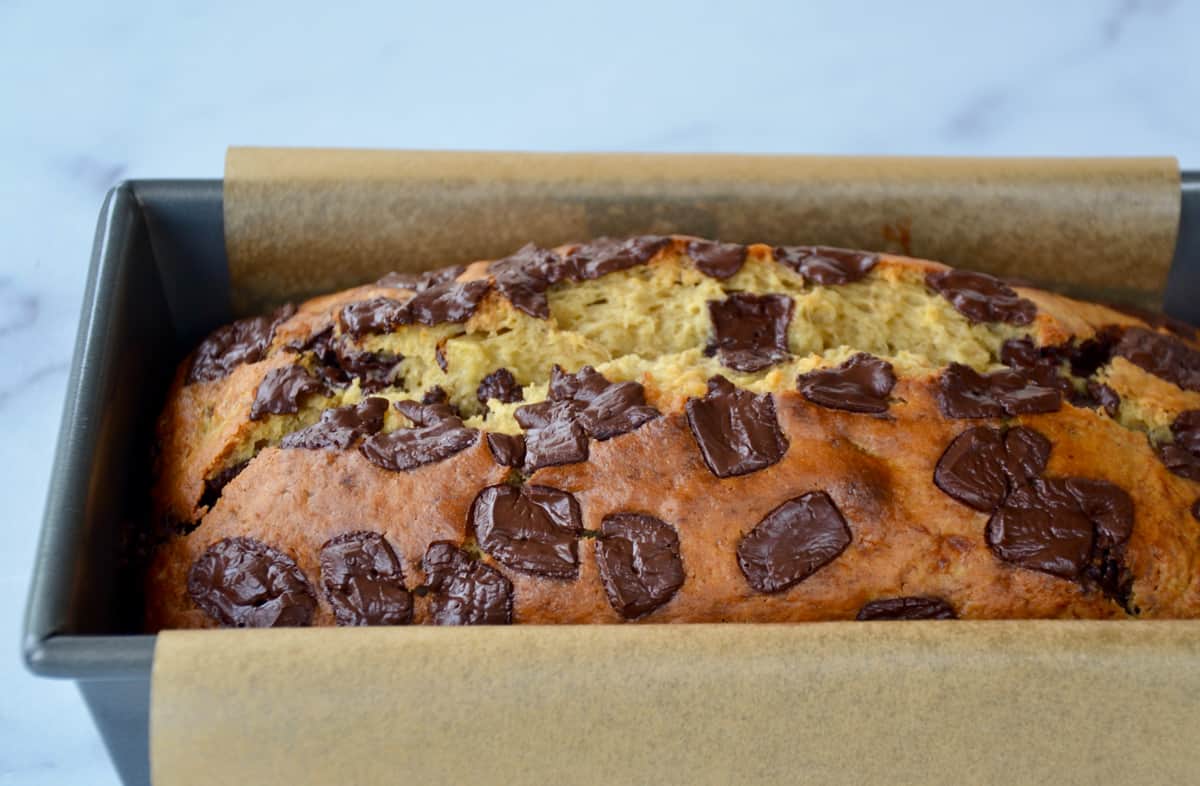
(680, 430)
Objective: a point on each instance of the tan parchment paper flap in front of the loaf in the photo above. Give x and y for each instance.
(1027, 703)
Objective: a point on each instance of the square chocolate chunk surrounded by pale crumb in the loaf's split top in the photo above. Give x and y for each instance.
(751, 332)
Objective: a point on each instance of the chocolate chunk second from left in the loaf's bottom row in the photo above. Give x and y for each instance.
(364, 581)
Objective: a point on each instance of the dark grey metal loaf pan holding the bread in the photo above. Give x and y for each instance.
(158, 284)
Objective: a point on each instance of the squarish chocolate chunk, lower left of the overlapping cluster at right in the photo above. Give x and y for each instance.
(1041, 527)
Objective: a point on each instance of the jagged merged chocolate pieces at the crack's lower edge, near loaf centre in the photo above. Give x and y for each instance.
(580, 406)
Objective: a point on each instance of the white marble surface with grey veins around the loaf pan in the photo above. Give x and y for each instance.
(92, 95)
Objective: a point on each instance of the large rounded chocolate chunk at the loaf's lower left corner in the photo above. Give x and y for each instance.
(242, 583)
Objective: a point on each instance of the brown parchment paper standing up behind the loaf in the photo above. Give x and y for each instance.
(302, 223)
